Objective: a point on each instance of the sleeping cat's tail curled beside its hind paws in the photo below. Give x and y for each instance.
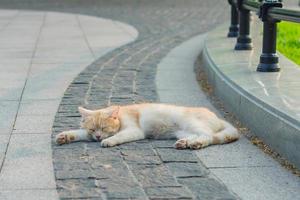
(226, 135)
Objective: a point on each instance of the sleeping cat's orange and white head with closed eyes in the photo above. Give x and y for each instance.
(101, 124)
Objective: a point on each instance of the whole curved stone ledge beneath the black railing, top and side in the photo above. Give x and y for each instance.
(268, 103)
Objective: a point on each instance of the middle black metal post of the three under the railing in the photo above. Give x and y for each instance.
(244, 41)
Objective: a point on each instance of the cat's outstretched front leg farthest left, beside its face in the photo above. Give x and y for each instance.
(66, 137)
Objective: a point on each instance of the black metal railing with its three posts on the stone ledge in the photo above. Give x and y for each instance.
(270, 12)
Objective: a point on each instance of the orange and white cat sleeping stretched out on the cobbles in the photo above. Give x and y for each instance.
(194, 128)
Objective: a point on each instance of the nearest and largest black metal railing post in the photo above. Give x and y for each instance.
(269, 58)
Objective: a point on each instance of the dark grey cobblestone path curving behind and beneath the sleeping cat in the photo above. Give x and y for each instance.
(147, 169)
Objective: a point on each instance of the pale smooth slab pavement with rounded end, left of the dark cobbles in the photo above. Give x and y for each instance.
(41, 53)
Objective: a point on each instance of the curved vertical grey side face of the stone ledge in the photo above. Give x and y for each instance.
(273, 122)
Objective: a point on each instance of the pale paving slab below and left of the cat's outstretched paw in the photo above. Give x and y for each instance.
(33, 153)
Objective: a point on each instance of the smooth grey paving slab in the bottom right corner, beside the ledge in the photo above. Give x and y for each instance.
(272, 187)
